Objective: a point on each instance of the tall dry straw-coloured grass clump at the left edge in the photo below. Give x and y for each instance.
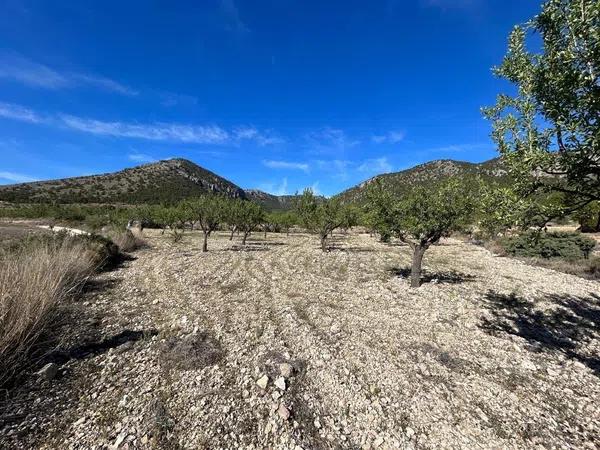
(33, 279)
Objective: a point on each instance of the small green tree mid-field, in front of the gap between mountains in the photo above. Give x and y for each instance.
(321, 216)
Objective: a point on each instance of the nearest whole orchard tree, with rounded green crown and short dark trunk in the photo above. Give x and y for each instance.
(422, 216)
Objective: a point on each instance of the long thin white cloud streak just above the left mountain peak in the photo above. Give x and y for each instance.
(197, 134)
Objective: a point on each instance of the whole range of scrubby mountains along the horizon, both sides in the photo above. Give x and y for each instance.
(174, 179)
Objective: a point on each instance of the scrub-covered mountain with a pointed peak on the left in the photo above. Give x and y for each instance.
(168, 180)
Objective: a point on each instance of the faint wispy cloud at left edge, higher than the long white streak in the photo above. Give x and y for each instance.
(22, 70)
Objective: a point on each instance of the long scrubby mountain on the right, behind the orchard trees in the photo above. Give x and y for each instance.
(430, 172)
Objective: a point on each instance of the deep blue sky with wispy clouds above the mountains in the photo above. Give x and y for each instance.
(274, 94)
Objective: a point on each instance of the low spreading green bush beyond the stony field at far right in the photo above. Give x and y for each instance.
(533, 244)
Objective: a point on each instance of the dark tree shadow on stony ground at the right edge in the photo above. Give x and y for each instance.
(567, 326)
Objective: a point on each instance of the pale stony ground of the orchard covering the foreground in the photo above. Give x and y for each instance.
(279, 345)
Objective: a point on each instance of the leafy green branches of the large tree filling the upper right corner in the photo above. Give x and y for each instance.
(549, 132)
